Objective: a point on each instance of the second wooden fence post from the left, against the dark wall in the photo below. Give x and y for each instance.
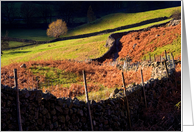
(86, 92)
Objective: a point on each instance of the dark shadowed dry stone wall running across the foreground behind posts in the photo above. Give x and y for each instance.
(43, 111)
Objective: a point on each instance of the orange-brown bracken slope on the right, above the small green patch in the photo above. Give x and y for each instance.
(147, 41)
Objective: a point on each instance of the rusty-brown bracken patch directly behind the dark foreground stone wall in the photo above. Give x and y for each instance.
(108, 76)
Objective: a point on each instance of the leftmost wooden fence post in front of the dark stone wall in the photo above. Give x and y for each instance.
(18, 102)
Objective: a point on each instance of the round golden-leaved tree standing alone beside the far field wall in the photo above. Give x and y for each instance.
(57, 28)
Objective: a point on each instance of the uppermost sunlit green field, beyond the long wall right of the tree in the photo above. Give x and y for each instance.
(121, 19)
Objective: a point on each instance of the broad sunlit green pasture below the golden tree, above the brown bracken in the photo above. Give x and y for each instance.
(79, 49)
